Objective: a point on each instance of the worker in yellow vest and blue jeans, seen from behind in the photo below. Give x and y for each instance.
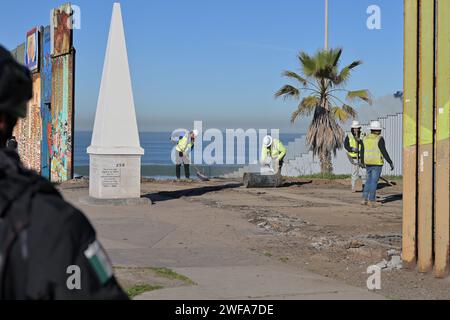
(373, 154)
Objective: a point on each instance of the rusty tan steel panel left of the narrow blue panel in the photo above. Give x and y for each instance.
(28, 130)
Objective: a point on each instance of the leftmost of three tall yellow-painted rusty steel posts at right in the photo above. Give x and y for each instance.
(410, 133)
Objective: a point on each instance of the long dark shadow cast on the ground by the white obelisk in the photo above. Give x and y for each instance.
(192, 192)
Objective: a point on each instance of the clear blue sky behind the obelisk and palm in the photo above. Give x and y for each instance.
(219, 61)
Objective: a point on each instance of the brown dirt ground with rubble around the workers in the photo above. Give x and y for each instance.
(320, 226)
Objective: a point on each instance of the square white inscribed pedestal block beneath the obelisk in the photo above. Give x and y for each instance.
(115, 176)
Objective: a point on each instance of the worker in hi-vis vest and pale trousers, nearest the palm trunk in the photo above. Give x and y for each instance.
(352, 145)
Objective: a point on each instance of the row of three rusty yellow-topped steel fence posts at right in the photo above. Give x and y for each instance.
(426, 138)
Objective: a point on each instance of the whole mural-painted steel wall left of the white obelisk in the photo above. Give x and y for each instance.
(45, 136)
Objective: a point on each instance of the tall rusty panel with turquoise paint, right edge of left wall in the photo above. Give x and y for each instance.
(61, 152)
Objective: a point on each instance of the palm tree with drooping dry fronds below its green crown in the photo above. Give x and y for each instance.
(320, 90)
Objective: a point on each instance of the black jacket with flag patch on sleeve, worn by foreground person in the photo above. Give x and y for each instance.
(42, 238)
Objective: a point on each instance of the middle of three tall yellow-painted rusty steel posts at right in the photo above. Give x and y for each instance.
(426, 133)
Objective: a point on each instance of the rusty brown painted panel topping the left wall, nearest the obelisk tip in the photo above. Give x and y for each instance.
(61, 26)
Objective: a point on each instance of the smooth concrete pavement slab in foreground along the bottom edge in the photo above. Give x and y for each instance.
(259, 282)
